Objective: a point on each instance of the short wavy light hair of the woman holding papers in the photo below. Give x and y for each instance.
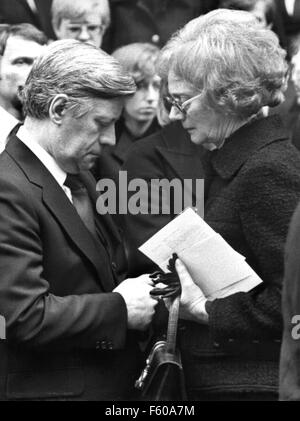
(238, 65)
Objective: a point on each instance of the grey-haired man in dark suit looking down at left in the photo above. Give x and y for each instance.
(70, 320)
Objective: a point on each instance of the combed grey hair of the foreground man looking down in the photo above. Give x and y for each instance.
(80, 71)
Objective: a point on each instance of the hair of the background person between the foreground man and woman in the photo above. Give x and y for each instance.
(139, 59)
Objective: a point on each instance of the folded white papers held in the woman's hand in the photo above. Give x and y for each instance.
(213, 264)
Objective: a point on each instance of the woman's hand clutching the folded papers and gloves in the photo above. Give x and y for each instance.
(192, 303)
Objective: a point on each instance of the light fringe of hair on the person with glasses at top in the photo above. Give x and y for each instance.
(76, 9)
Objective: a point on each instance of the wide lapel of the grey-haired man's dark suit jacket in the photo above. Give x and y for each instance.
(60, 207)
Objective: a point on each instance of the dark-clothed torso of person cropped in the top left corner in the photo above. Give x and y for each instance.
(36, 12)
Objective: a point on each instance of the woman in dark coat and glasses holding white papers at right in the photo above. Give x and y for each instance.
(221, 72)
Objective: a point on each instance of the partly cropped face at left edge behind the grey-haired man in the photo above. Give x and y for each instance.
(15, 65)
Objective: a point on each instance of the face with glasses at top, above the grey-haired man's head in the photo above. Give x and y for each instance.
(88, 28)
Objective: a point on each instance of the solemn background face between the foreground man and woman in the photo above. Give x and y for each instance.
(142, 106)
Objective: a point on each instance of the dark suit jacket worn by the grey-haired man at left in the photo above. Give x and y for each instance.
(67, 332)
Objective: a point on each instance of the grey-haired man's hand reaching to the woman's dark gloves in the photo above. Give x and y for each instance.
(140, 305)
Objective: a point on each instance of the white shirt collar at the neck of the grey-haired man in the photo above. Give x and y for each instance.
(47, 160)
